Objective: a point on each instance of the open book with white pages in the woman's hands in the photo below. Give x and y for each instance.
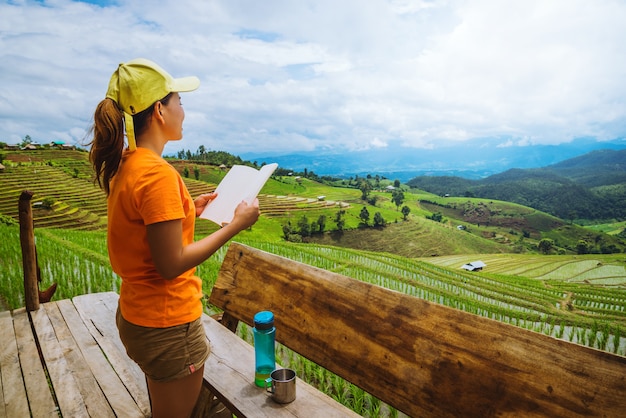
(240, 183)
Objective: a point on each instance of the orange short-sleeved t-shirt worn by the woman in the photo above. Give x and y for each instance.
(146, 190)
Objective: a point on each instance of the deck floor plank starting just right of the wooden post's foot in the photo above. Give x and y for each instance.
(66, 388)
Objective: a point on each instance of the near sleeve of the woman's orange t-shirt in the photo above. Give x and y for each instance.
(159, 196)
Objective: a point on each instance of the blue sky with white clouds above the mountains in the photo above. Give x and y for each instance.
(290, 76)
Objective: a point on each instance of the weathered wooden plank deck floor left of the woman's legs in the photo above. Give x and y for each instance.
(65, 359)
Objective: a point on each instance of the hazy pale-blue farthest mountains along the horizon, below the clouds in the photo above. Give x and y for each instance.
(474, 159)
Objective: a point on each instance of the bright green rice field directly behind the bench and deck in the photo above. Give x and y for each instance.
(584, 313)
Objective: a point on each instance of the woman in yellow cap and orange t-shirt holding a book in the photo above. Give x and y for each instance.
(151, 219)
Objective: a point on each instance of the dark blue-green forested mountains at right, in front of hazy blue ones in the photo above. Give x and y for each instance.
(591, 186)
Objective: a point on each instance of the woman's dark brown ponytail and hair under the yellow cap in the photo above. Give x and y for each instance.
(107, 144)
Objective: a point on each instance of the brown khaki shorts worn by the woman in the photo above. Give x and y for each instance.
(165, 354)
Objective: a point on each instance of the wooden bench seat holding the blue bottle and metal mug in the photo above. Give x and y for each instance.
(229, 373)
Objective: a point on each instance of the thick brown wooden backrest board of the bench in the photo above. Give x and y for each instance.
(422, 358)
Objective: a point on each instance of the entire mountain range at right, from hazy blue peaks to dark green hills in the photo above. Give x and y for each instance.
(580, 180)
